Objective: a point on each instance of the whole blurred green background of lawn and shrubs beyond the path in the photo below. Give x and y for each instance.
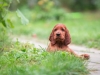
(36, 18)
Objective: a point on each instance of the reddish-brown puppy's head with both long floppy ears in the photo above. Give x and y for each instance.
(60, 34)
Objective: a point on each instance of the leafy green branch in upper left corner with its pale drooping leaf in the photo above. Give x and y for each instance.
(4, 8)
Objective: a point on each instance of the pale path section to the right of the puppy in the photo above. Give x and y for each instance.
(94, 61)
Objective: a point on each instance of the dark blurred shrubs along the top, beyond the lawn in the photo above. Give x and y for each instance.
(47, 5)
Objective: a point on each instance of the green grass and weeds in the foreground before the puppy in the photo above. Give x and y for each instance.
(25, 59)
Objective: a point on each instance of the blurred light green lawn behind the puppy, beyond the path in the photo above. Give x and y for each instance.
(83, 27)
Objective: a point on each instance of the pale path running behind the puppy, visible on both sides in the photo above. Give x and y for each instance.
(93, 62)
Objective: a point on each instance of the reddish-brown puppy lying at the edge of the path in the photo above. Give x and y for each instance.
(59, 40)
